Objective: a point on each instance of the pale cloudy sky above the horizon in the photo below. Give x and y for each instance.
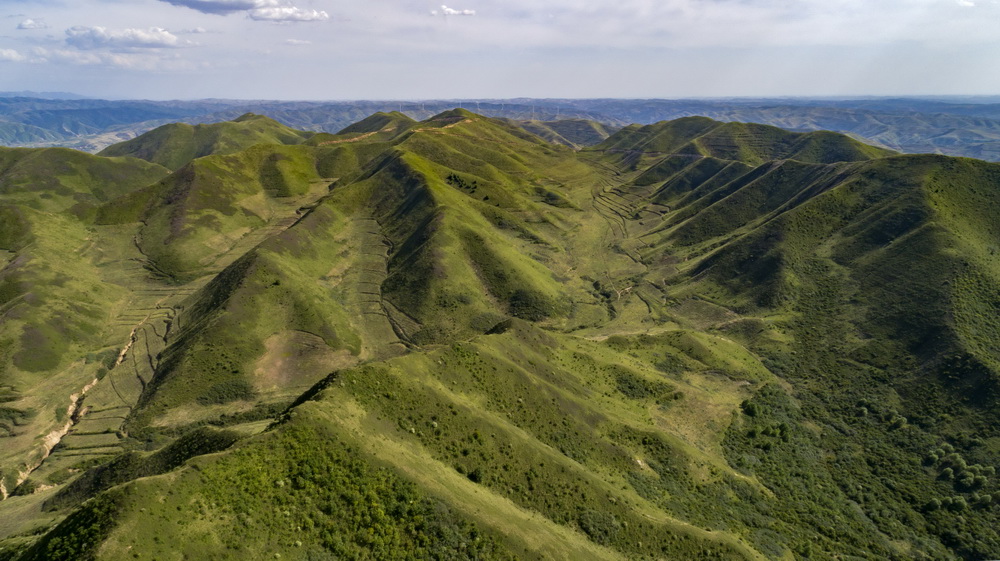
(421, 49)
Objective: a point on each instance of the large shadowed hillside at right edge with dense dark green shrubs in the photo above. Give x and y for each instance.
(868, 276)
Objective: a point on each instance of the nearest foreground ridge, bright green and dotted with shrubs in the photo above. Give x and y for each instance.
(462, 425)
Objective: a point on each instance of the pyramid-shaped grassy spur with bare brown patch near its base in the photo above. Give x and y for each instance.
(268, 326)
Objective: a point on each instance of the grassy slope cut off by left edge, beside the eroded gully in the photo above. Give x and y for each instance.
(55, 307)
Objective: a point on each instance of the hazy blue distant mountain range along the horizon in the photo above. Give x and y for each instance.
(953, 126)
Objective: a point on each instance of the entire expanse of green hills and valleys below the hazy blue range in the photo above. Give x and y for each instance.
(456, 339)
